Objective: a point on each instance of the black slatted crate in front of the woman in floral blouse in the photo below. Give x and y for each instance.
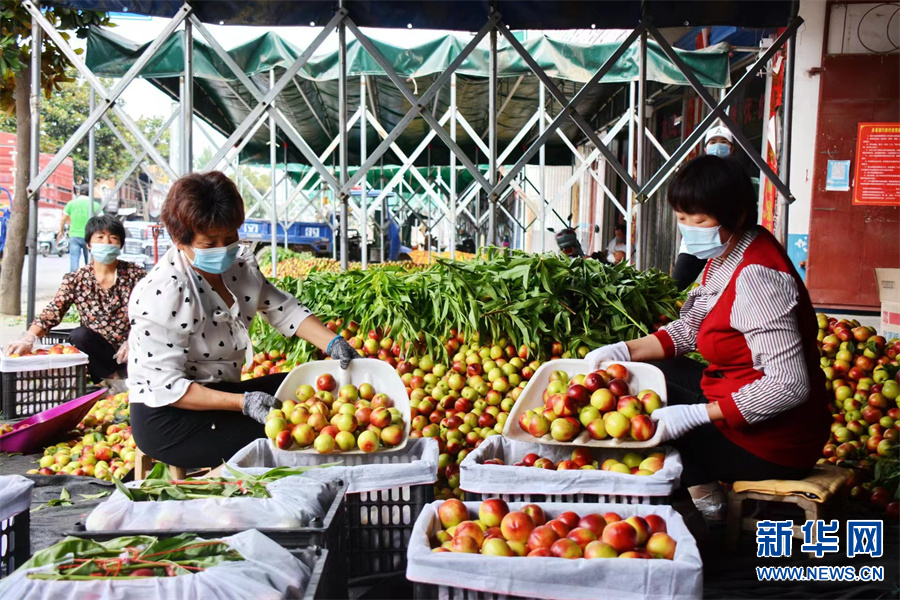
(29, 392)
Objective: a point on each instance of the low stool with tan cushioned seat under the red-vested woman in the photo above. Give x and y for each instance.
(816, 495)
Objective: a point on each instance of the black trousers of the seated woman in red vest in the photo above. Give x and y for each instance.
(707, 454)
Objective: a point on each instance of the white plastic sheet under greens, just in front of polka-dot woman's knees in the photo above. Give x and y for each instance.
(295, 502)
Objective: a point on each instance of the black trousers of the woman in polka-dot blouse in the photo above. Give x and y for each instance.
(199, 438)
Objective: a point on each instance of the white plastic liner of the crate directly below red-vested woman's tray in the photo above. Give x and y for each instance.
(474, 476)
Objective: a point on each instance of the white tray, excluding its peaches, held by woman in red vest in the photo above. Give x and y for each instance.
(643, 376)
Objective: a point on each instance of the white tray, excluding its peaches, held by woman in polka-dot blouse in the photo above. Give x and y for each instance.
(380, 374)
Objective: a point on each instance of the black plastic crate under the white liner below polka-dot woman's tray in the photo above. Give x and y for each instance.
(379, 525)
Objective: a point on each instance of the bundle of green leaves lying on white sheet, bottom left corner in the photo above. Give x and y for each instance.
(75, 559)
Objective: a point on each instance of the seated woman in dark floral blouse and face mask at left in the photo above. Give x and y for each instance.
(100, 291)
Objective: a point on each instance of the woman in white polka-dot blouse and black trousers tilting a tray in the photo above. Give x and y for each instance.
(189, 339)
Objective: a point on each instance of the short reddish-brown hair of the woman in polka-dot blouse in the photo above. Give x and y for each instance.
(201, 202)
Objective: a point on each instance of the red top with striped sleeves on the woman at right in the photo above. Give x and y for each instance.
(752, 319)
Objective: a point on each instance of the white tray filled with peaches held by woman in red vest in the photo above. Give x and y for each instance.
(563, 404)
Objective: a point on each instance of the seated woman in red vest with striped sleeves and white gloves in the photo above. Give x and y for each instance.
(759, 410)
